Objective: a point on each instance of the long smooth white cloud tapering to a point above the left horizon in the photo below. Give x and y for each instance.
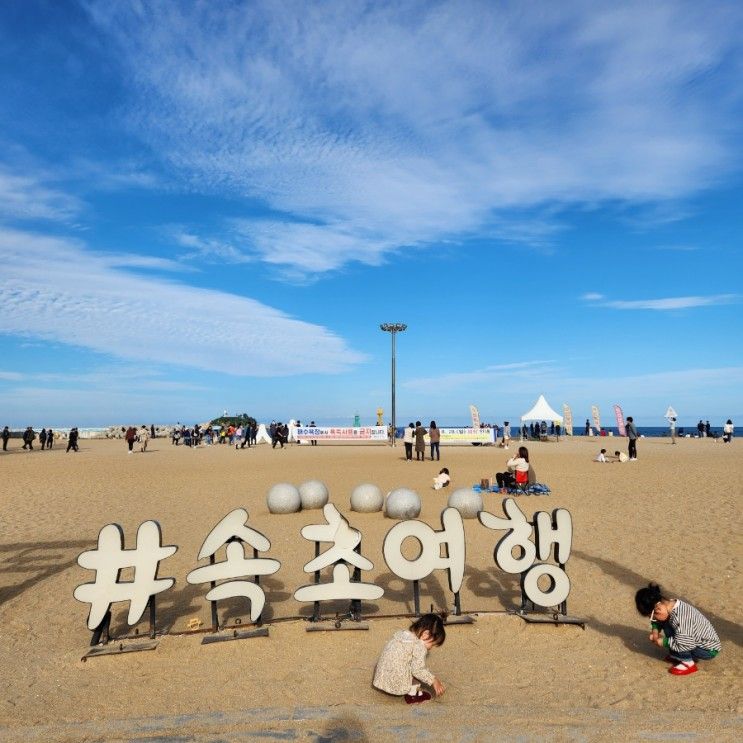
(56, 290)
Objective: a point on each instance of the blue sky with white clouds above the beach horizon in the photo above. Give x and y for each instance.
(209, 206)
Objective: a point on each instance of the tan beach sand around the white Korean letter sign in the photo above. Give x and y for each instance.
(672, 516)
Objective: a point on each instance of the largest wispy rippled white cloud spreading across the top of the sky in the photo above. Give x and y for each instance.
(376, 126)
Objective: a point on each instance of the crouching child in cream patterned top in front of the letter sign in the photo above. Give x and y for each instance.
(403, 660)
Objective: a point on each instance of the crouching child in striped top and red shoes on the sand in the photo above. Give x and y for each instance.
(689, 636)
